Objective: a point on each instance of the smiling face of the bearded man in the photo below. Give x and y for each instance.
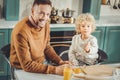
(41, 14)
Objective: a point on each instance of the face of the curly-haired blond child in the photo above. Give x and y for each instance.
(85, 28)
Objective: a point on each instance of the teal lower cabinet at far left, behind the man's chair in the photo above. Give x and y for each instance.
(3, 64)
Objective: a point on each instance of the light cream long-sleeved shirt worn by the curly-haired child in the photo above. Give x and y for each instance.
(77, 48)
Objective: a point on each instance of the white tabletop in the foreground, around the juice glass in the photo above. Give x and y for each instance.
(38, 76)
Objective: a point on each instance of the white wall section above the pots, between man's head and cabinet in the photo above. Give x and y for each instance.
(75, 5)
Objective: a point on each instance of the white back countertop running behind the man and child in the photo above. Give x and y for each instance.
(103, 21)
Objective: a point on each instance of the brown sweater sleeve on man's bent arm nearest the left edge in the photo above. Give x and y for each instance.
(25, 59)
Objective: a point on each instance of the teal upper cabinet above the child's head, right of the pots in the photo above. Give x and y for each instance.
(93, 7)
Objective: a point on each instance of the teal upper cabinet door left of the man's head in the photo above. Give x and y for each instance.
(11, 8)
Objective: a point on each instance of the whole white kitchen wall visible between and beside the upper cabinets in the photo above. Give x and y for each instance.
(106, 10)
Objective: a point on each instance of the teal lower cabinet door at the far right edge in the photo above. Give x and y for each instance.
(112, 44)
